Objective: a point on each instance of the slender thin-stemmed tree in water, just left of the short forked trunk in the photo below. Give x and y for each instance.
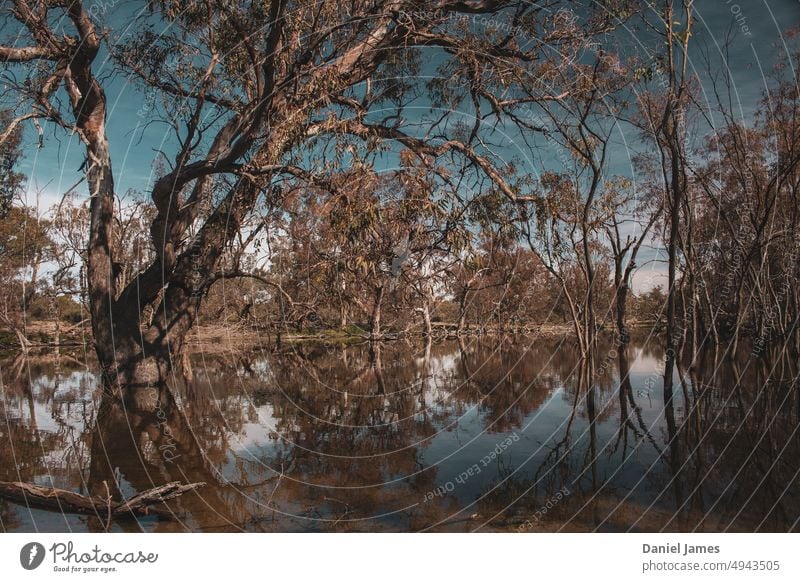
(565, 225)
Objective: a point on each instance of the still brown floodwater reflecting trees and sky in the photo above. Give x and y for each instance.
(504, 434)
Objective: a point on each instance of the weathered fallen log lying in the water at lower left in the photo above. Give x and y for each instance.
(70, 502)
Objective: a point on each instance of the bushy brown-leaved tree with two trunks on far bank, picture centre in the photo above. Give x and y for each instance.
(396, 232)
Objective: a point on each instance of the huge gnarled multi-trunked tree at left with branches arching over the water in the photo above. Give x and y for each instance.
(254, 93)
